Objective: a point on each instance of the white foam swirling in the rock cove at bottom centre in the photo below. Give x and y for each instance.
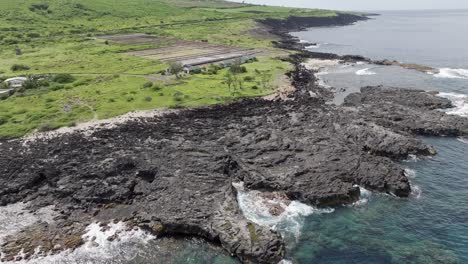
(290, 222)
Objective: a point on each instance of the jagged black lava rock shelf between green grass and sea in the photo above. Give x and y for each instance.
(173, 174)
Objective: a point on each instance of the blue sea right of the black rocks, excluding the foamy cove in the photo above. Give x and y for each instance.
(432, 225)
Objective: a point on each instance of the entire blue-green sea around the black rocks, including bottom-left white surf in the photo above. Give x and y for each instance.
(431, 226)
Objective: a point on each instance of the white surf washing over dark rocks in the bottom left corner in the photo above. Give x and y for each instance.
(112, 243)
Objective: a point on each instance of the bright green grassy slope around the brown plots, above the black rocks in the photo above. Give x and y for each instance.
(58, 36)
